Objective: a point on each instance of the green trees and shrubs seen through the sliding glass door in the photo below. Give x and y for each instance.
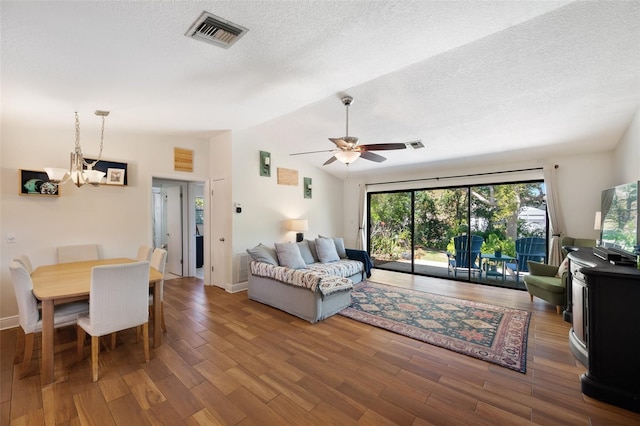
(491, 211)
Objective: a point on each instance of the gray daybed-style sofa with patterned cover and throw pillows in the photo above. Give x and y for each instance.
(312, 290)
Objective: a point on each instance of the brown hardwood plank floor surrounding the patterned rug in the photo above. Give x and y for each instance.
(228, 360)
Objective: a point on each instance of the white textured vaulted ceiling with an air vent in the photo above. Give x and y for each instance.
(467, 78)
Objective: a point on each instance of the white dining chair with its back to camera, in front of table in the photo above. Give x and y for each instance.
(118, 300)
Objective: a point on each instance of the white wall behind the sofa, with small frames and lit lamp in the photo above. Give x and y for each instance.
(267, 205)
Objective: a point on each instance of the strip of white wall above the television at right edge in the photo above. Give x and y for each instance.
(627, 154)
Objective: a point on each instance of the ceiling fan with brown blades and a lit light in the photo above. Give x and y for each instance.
(347, 149)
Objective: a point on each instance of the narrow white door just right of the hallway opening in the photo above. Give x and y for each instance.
(218, 234)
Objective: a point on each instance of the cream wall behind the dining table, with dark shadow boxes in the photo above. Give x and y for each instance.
(117, 218)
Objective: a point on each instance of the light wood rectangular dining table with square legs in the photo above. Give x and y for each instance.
(68, 282)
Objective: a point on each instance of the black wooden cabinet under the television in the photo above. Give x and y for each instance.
(606, 328)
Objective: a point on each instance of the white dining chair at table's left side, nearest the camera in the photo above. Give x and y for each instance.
(29, 315)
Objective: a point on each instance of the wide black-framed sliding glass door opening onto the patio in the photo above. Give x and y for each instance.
(465, 233)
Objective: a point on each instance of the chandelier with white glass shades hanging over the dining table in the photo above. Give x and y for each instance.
(77, 173)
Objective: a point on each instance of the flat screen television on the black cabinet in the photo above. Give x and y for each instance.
(620, 216)
